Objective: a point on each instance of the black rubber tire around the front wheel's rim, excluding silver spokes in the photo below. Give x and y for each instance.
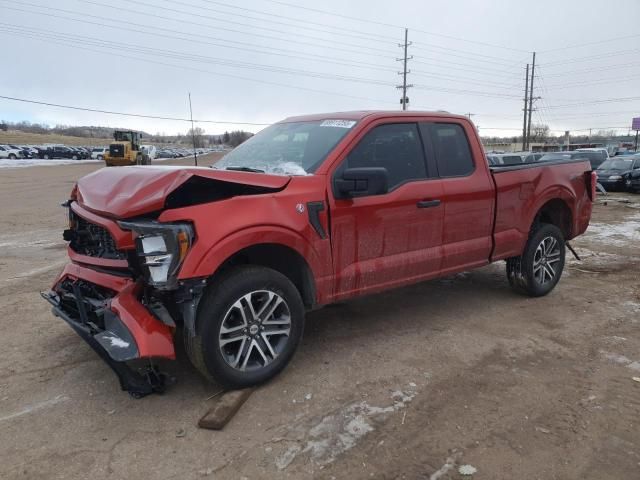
(219, 302)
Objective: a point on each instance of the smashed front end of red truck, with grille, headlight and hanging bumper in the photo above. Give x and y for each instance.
(120, 293)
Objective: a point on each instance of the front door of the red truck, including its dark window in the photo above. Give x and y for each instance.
(385, 240)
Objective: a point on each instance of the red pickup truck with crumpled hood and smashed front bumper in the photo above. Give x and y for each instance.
(310, 211)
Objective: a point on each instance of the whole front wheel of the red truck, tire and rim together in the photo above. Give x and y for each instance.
(248, 327)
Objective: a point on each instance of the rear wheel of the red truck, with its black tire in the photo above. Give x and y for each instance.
(528, 274)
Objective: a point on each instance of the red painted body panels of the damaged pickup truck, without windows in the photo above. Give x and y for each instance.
(374, 243)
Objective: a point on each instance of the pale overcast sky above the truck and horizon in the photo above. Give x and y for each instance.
(259, 61)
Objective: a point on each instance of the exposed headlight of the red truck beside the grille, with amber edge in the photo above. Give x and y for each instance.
(161, 247)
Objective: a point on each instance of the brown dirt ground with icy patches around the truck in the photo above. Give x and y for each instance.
(410, 384)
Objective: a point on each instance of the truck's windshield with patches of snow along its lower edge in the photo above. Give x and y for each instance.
(287, 148)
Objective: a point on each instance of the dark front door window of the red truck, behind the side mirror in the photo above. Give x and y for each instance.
(396, 147)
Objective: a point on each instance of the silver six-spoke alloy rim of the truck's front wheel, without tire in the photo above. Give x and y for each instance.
(255, 330)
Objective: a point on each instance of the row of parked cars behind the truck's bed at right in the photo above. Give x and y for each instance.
(618, 173)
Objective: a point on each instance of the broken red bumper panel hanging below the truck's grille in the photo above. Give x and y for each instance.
(153, 338)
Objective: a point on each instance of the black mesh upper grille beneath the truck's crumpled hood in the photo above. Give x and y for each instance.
(87, 238)
